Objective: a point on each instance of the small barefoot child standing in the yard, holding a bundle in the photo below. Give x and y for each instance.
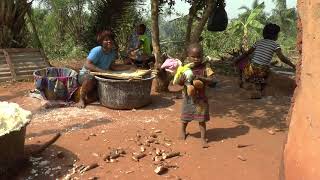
(196, 107)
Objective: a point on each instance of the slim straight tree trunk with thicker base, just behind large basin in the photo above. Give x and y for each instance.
(162, 80)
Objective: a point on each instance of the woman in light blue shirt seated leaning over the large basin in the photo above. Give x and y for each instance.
(100, 59)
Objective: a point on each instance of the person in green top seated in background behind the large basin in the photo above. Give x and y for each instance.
(140, 47)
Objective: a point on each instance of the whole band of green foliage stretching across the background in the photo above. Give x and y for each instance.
(68, 30)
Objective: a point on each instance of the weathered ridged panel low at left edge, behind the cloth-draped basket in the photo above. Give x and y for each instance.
(20, 63)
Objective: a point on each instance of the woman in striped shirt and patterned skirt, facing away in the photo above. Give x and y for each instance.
(257, 70)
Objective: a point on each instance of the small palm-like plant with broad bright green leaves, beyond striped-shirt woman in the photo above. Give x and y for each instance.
(242, 25)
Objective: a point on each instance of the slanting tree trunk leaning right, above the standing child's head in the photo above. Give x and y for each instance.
(199, 28)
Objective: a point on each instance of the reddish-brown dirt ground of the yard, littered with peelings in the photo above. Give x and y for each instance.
(88, 134)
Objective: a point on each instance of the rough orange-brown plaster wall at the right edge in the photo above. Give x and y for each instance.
(302, 151)
